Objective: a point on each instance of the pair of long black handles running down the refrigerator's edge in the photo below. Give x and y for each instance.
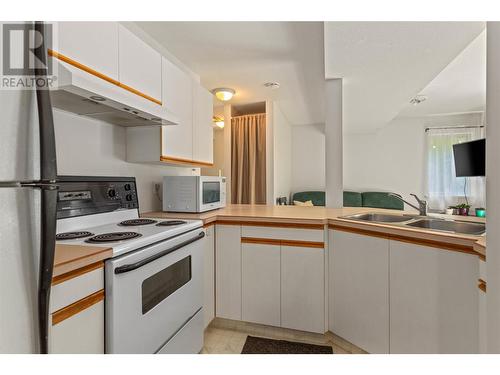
(48, 175)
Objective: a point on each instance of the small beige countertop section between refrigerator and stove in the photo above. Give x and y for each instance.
(70, 258)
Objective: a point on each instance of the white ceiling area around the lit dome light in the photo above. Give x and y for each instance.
(245, 55)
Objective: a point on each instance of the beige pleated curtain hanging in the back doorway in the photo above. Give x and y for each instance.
(248, 159)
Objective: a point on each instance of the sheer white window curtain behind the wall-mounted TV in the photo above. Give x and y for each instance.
(443, 187)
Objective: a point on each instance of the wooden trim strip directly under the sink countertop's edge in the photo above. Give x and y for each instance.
(416, 241)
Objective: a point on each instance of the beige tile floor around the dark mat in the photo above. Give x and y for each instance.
(228, 337)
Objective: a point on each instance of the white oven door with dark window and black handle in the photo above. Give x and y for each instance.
(151, 293)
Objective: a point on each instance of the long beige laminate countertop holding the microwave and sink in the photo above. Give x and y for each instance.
(333, 217)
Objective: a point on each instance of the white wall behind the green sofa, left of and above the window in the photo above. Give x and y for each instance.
(393, 158)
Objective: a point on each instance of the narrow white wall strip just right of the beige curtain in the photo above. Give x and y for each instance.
(282, 151)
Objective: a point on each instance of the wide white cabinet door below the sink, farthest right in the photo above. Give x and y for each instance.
(434, 300)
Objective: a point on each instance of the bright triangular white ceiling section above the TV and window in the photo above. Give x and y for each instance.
(460, 87)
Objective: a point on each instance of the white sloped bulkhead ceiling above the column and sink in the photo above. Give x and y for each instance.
(385, 64)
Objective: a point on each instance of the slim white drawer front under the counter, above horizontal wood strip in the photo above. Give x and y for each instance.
(293, 234)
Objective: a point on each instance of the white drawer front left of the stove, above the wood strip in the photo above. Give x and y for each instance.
(69, 291)
